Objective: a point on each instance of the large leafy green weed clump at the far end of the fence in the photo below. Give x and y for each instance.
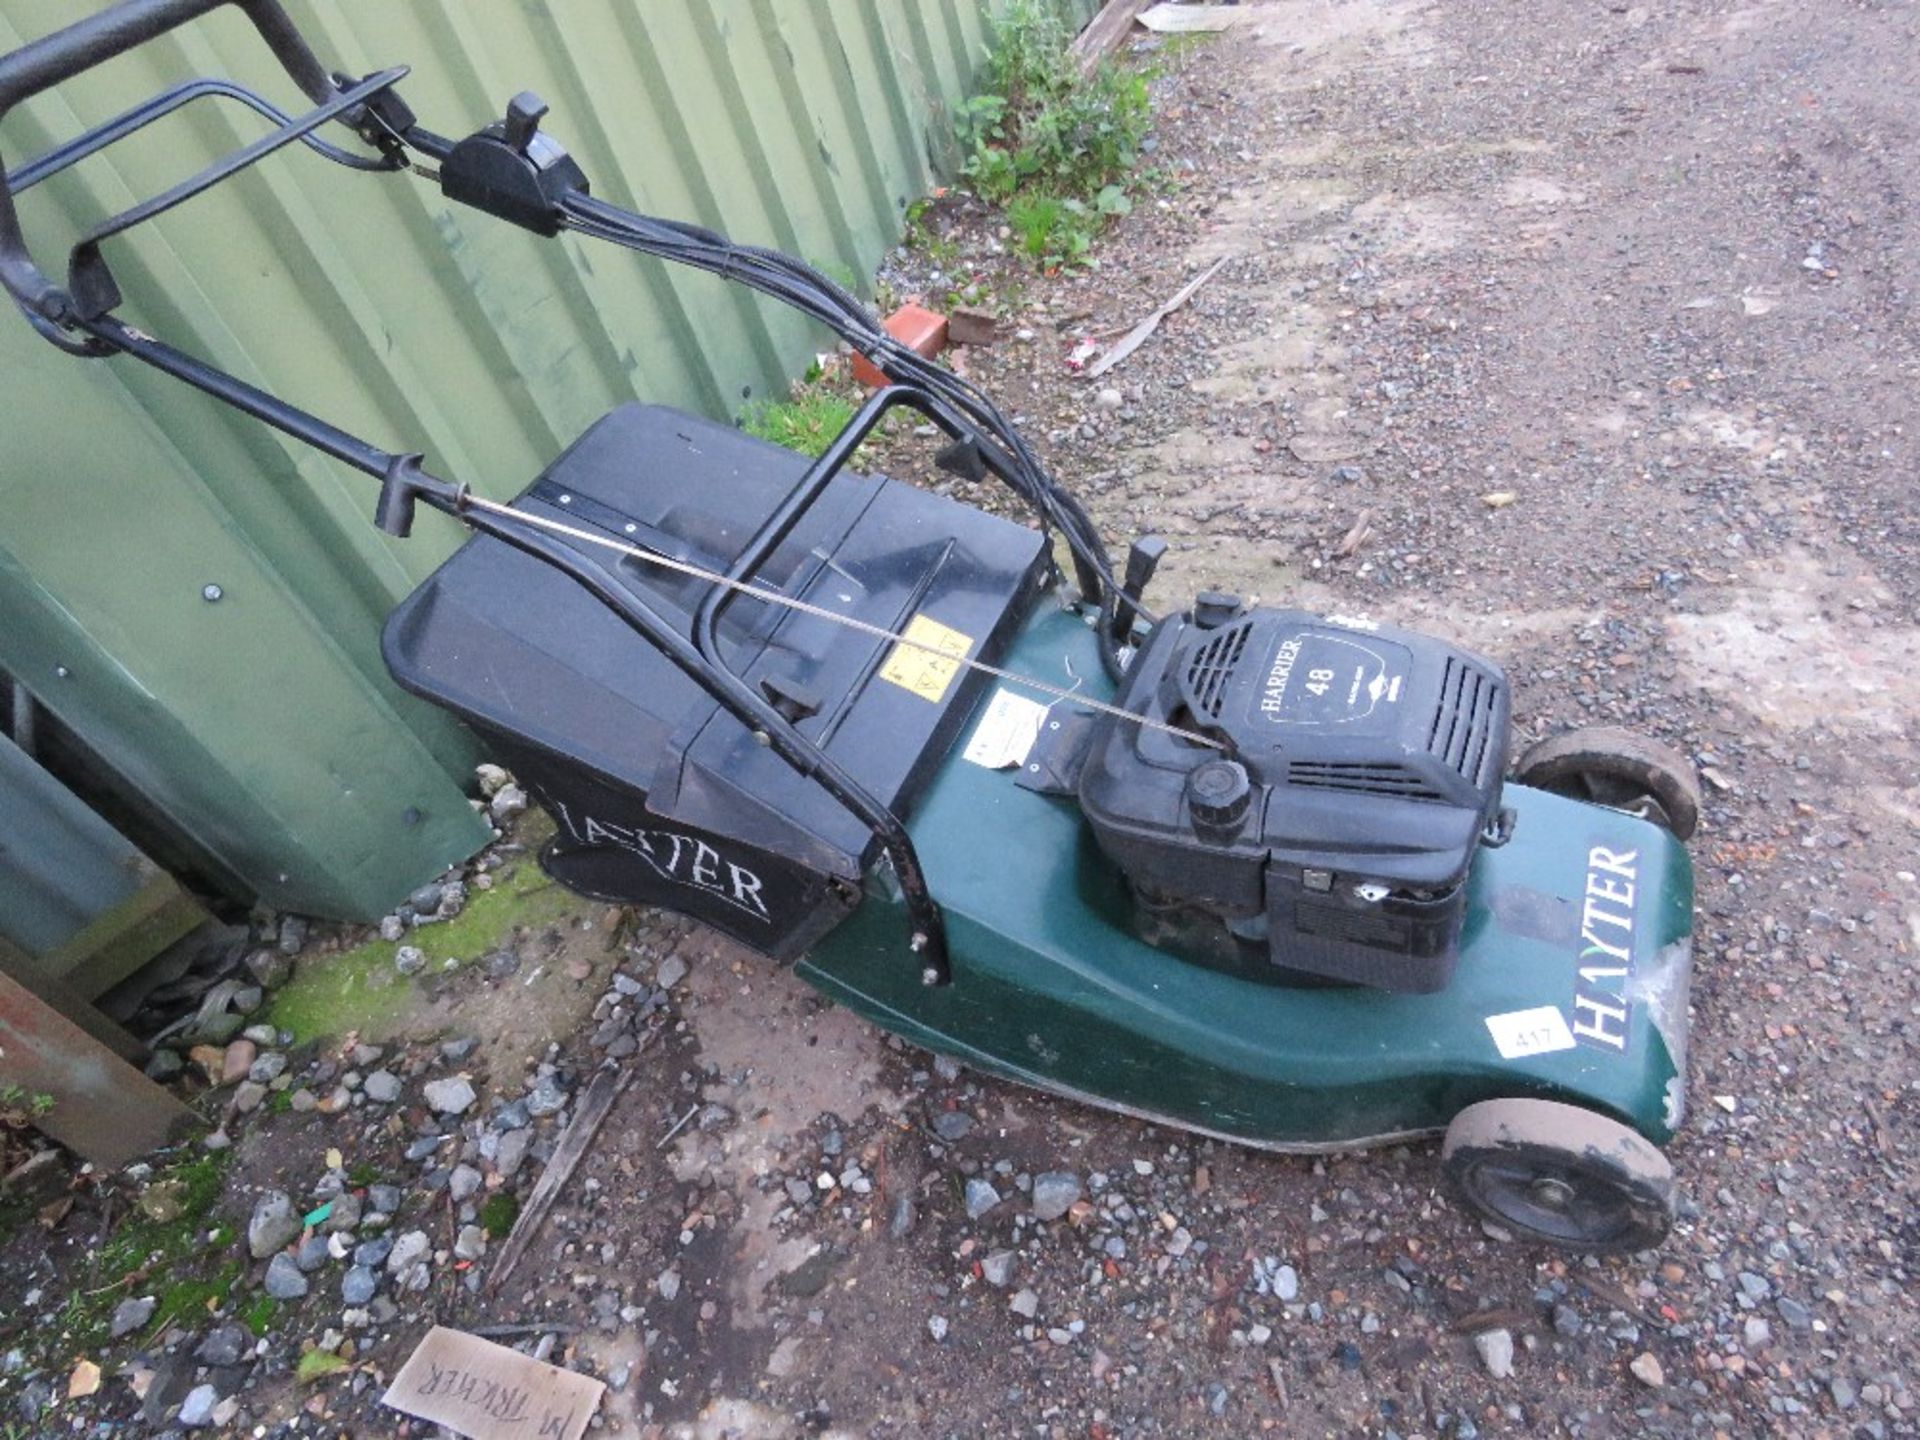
(1055, 147)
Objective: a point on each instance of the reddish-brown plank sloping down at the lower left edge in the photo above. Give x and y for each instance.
(105, 1109)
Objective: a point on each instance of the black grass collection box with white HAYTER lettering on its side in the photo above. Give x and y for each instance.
(660, 796)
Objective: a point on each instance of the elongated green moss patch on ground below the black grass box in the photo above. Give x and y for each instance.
(362, 992)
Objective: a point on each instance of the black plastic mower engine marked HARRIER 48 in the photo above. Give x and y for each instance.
(1332, 834)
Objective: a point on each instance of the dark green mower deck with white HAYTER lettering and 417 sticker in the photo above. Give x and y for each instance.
(1572, 984)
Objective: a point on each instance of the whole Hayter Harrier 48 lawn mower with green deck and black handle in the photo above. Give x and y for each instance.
(1253, 873)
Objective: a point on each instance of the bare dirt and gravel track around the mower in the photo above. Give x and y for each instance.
(1575, 331)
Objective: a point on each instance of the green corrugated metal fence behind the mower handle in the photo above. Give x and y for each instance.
(264, 723)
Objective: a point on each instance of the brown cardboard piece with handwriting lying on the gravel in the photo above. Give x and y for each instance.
(489, 1391)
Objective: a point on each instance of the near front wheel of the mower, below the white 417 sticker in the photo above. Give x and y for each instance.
(1562, 1174)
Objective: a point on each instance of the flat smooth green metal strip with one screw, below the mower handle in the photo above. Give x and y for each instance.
(245, 717)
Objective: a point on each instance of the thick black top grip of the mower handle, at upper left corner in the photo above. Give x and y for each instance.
(43, 64)
